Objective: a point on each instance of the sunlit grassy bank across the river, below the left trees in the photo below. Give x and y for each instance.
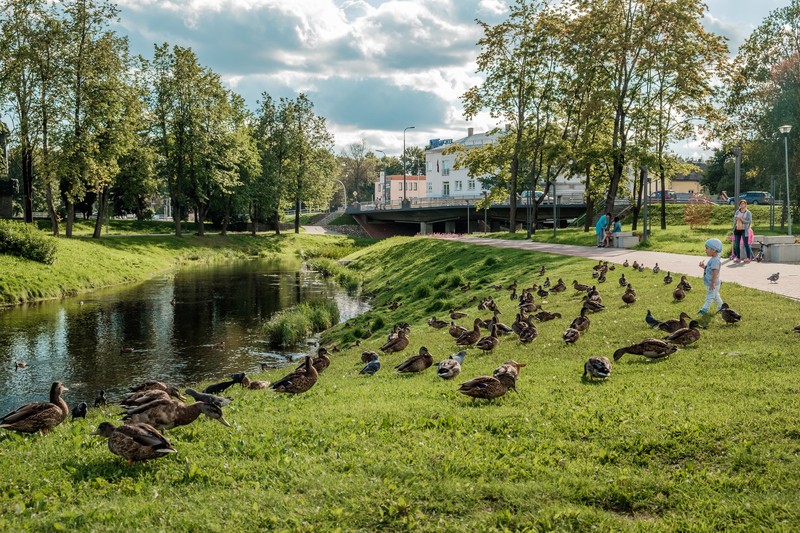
(83, 264)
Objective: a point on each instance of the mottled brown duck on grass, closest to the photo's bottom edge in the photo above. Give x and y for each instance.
(135, 441)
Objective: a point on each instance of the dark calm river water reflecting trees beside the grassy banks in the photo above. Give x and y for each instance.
(115, 338)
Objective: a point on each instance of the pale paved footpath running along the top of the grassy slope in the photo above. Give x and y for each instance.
(753, 275)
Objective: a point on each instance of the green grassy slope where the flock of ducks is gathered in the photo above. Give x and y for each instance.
(707, 439)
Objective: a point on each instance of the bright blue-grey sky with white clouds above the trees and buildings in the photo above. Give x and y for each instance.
(371, 67)
